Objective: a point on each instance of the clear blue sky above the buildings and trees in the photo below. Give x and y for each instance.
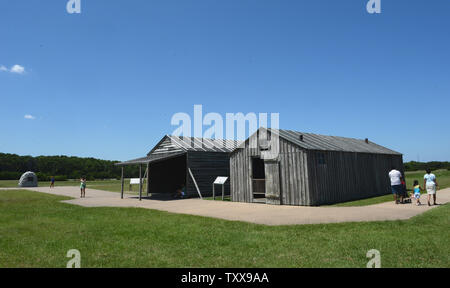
(105, 83)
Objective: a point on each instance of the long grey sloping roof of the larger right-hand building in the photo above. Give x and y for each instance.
(310, 141)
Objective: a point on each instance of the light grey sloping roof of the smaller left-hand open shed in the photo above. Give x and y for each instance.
(176, 143)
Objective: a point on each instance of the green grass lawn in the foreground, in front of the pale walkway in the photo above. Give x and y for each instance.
(37, 230)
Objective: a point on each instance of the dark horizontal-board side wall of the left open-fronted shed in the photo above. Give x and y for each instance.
(206, 167)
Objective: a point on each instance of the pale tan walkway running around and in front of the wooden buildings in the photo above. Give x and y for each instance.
(254, 213)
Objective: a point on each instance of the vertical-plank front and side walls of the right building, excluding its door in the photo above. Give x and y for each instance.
(345, 176)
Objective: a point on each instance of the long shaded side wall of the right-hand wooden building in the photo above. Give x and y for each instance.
(344, 176)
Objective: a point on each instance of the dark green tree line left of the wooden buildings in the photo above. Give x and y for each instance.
(12, 166)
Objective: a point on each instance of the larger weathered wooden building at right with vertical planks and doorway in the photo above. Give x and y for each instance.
(309, 169)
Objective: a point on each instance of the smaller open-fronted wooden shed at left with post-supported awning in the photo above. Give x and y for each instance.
(193, 163)
